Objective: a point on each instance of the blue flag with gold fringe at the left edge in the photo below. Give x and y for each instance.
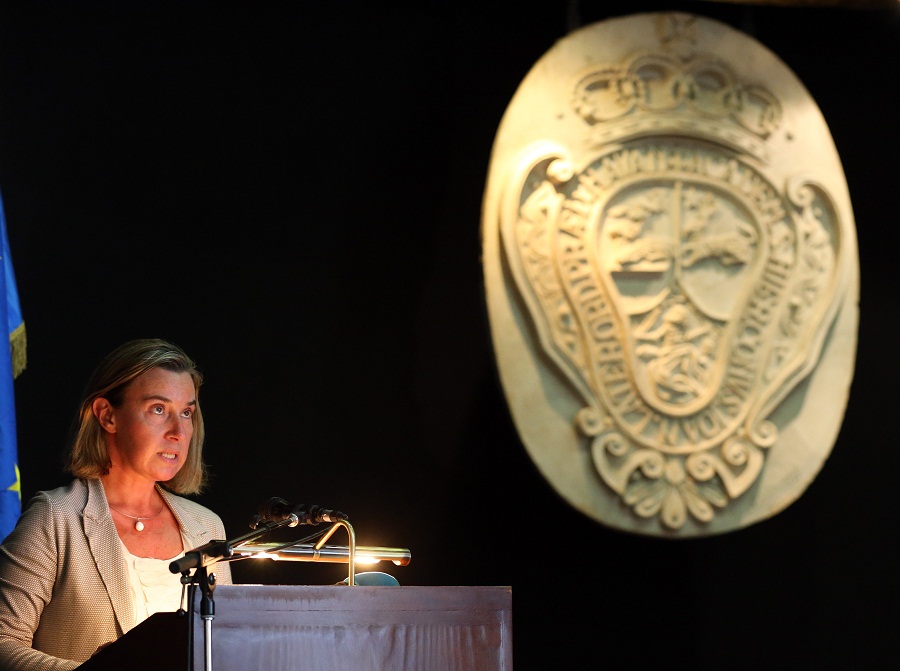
(12, 362)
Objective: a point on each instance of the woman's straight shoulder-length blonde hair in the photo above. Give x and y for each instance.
(88, 455)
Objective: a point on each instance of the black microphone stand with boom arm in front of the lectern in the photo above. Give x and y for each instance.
(201, 558)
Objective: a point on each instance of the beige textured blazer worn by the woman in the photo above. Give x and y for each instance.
(63, 581)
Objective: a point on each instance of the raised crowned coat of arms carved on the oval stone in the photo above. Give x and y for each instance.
(678, 289)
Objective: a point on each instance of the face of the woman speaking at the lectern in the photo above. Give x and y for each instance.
(149, 434)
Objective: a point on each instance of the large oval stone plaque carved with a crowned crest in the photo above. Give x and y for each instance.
(671, 275)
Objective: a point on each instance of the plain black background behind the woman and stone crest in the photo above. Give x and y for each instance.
(292, 190)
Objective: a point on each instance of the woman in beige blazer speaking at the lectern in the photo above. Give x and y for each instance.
(89, 561)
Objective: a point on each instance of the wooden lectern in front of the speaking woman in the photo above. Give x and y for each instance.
(326, 628)
